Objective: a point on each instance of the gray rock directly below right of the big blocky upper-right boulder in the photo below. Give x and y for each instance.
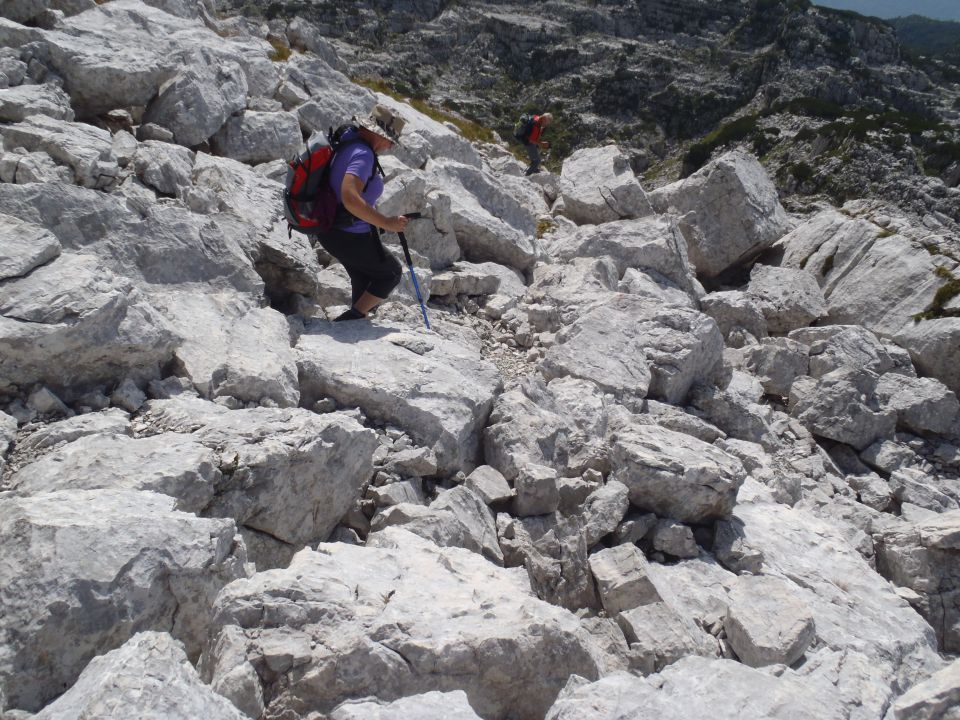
(789, 299)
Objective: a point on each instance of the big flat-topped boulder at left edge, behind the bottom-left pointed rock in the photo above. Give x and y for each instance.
(85, 570)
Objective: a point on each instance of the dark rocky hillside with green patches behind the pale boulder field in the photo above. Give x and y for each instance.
(827, 99)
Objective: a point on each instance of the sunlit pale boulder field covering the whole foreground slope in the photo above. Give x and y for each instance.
(593, 487)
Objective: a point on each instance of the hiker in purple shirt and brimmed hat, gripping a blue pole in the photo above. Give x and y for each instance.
(354, 239)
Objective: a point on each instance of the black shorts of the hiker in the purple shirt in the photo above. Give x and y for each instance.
(370, 267)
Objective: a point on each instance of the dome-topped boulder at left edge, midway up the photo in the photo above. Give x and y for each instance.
(72, 323)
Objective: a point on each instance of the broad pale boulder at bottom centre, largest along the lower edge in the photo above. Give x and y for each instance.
(395, 619)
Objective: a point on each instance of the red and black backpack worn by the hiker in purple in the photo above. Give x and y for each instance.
(309, 202)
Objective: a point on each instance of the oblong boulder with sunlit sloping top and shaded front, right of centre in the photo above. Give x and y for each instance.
(672, 474)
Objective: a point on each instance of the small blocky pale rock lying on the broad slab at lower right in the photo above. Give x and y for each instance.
(765, 623)
